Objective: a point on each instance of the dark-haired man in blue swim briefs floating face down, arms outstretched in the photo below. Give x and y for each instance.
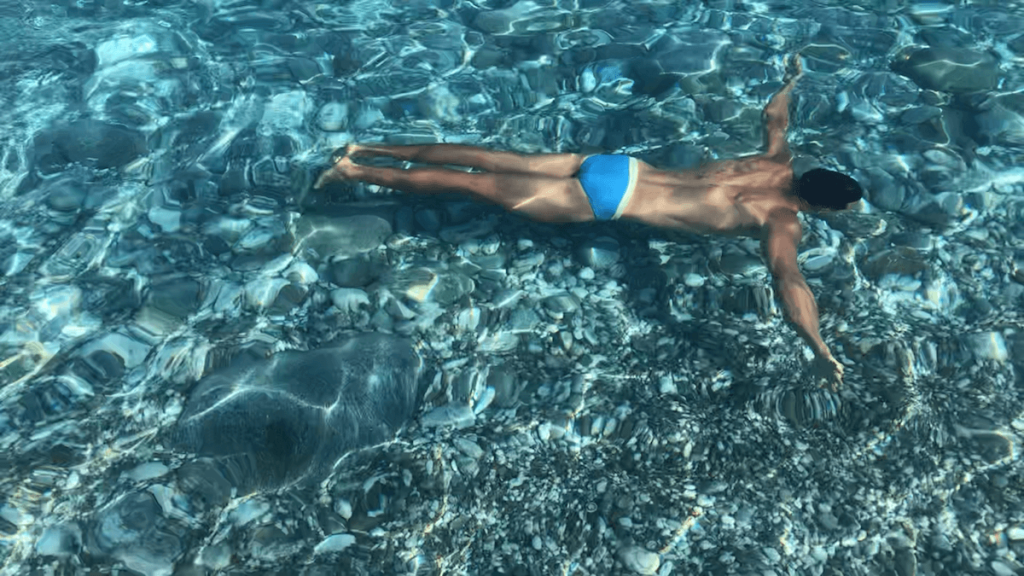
(755, 196)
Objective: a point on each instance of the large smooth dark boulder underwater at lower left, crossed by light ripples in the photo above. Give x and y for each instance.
(267, 424)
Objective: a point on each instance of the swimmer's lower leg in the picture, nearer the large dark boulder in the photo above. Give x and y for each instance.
(540, 198)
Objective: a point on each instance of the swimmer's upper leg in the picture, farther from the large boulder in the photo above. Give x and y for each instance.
(553, 166)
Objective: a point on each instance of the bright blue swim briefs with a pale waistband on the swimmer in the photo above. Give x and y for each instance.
(609, 181)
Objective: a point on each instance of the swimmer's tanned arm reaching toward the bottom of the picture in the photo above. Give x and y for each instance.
(781, 241)
